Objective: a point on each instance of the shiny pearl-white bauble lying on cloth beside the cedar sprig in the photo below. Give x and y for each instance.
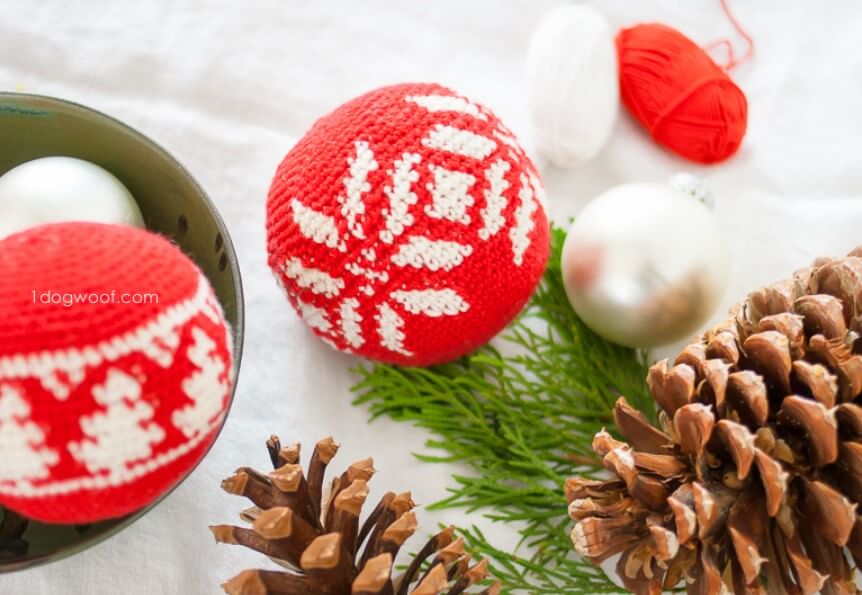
(645, 264)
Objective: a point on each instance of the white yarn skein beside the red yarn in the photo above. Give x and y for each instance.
(572, 82)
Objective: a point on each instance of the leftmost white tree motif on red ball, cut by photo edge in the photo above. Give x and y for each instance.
(22, 443)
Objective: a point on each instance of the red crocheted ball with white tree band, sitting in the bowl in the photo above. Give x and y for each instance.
(115, 370)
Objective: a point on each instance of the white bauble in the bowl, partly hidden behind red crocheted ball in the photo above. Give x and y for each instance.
(56, 189)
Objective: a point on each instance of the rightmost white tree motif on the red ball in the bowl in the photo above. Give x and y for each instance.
(206, 387)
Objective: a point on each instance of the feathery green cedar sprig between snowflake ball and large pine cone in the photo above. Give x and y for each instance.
(521, 418)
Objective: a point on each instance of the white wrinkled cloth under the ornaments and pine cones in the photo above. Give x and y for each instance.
(228, 87)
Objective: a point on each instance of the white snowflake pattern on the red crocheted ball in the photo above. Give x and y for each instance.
(453, 198)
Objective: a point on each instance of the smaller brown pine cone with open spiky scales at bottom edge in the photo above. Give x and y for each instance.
(323, 547)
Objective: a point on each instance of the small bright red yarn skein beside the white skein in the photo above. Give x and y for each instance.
(685, 100)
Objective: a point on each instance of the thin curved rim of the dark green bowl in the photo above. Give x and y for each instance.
(237, 330)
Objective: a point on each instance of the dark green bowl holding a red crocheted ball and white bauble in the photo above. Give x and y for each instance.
(172, 203)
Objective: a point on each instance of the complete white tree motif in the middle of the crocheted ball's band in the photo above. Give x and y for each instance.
(121, 434)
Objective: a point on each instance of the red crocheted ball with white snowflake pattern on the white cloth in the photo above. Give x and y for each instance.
(407, 225)
